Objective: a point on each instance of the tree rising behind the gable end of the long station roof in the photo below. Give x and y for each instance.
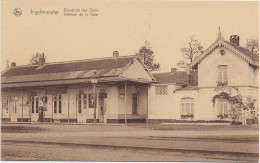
(147, 57)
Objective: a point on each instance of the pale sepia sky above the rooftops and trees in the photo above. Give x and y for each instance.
(121, 26)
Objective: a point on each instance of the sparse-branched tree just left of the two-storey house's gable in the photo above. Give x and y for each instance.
(192, 49)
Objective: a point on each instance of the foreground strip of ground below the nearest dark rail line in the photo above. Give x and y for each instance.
(60, 153)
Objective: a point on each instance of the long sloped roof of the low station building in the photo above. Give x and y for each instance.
(84, 69)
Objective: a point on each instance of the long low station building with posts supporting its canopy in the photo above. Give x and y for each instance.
(64, 91)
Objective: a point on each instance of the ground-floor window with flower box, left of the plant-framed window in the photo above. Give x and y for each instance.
(187, 106)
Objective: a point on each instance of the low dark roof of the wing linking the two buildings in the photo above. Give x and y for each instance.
(178, 77)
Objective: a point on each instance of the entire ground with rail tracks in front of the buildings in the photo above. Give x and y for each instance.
(238, 139)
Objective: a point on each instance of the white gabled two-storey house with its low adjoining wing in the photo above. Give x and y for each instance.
(224, 67)
